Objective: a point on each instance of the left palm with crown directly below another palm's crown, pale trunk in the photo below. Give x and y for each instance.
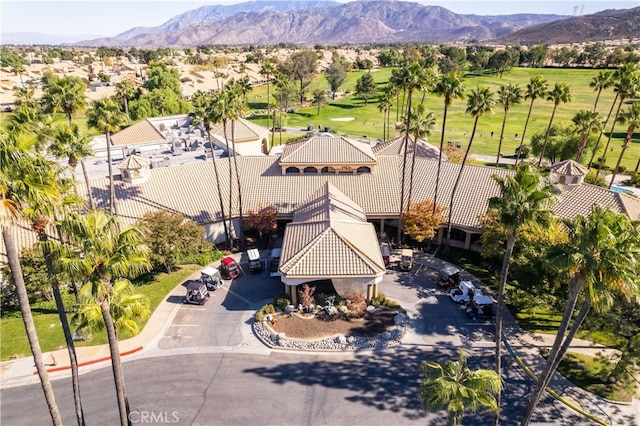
(68, 143)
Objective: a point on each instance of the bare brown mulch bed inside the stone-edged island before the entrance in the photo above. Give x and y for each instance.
(322, 325)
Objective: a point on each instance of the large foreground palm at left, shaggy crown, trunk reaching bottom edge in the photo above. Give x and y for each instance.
(104, 257)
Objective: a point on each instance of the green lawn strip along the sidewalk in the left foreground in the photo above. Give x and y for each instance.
(14, 339)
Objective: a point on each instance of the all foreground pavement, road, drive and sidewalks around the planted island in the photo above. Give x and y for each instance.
(206, 363)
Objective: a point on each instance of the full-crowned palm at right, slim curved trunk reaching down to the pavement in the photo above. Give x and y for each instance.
(524, 202)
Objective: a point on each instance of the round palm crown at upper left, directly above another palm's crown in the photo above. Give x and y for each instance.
(66, 94)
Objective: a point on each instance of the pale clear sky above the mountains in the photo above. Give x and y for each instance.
(111, 17)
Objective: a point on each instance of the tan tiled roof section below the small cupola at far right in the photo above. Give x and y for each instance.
(579, 199)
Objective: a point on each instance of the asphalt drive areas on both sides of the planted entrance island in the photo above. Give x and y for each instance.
(223, 320)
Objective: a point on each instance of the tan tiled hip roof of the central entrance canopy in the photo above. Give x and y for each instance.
(330, 237)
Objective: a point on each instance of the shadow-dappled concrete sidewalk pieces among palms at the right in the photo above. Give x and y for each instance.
(526, 346)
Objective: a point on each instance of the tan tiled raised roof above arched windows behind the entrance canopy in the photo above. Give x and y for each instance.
(322, 151)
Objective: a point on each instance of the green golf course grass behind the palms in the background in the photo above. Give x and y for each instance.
(369, 121)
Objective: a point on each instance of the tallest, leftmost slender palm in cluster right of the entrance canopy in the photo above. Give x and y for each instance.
(415, 77)
